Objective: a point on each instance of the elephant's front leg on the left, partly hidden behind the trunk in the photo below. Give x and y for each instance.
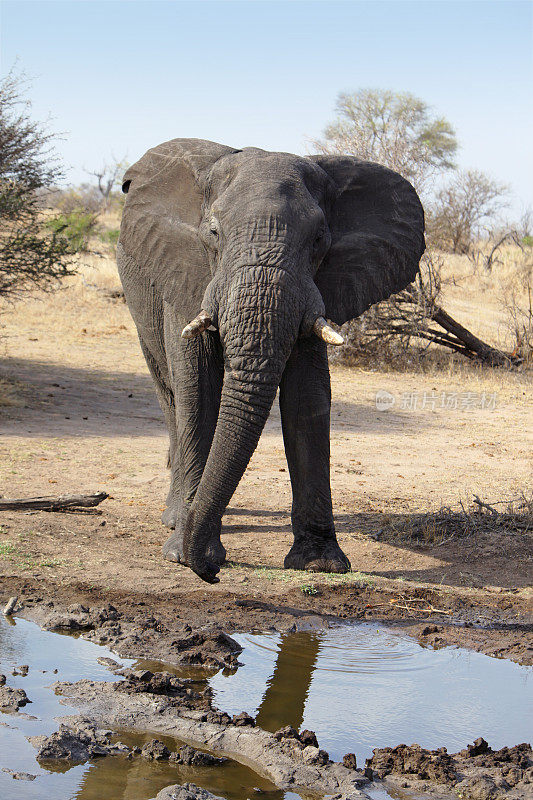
(196, 371)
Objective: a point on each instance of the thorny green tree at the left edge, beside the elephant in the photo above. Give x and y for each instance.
(30, 252)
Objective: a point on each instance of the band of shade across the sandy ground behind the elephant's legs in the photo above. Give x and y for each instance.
(63, 401)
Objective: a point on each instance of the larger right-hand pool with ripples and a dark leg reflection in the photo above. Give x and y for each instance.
(364, 686)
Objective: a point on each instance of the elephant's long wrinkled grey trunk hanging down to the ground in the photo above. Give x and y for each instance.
(259, 314)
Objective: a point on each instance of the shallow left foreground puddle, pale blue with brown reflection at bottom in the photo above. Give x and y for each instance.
(110, 778)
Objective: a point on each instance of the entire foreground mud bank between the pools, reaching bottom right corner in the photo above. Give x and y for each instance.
(290, 759)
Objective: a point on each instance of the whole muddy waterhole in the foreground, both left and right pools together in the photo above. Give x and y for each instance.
(358, 687)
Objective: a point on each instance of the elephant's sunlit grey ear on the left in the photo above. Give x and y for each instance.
(163, 209)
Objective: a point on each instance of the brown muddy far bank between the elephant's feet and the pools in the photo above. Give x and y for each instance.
(495, 623)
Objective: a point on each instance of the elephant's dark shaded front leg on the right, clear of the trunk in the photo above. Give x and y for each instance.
(305, 402)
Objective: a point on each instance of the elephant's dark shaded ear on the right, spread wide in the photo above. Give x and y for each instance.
(377, 228)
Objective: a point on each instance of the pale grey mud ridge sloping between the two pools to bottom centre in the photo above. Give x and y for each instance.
(285, 758)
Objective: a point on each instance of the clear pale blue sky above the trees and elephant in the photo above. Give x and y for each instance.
(120, 76)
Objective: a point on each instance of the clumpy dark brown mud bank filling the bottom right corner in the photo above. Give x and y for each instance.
(476, 773)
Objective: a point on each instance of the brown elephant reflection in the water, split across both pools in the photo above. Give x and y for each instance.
(283, 703)
